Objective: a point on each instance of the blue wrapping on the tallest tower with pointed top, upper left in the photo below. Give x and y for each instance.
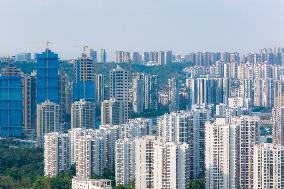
(47, 77)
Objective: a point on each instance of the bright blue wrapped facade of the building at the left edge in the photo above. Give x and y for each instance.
(11, 109)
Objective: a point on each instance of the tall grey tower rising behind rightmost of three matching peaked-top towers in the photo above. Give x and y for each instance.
(119, 89)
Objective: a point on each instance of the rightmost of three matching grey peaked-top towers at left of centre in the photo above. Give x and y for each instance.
(111, 112)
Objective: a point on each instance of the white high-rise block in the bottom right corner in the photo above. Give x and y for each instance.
(268, 166)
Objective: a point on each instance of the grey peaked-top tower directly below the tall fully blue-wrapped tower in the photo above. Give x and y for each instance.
(47, 120)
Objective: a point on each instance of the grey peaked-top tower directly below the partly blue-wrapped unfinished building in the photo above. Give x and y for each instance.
(83, 114)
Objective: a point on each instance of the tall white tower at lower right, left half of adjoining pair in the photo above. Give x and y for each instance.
(217, 154)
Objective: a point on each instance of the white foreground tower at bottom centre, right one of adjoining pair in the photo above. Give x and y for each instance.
(170, 165)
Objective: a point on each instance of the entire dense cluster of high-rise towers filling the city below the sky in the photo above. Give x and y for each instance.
(220, 118)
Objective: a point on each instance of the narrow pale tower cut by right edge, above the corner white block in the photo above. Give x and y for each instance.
(278, 125)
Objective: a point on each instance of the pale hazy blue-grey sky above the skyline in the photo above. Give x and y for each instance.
(181, 25)
